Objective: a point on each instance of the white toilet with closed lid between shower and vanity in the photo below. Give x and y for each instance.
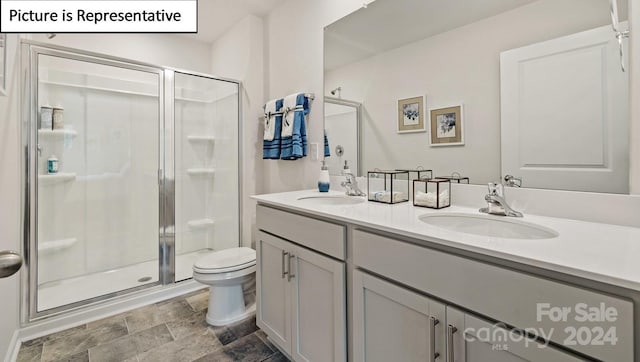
(225, 271)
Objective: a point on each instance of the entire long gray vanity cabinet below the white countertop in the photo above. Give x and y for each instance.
(413, 302)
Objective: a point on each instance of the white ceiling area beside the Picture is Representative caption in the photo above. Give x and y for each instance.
(215, 17)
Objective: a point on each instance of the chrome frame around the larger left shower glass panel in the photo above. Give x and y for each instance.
(29, 213)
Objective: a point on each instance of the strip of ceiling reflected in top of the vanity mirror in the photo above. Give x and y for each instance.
(377, 28)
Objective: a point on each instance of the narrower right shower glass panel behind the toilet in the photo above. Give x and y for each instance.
(206, 112)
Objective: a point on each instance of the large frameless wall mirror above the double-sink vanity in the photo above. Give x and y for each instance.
(531, 88)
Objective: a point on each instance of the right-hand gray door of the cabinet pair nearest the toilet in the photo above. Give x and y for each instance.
(319, 312)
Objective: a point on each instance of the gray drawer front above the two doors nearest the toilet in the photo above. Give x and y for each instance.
(318, 235)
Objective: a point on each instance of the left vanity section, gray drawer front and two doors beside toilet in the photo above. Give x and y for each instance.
(301, 302)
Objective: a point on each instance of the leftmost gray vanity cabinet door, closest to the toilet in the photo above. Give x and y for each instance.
(273, 291)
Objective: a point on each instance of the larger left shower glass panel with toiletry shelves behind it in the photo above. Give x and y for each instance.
(94, 170)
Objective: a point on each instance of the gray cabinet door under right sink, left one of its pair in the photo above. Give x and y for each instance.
(394, 324)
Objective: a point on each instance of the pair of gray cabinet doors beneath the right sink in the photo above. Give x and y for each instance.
(391, 323)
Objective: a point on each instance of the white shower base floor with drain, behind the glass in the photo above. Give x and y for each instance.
(63, 292)
